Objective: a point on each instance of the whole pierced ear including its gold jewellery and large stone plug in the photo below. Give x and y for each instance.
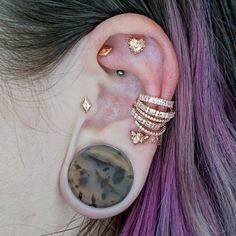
(111, 151)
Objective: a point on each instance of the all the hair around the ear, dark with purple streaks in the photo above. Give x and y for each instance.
(191, 186)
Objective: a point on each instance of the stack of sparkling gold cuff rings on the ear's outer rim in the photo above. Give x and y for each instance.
(150, 122)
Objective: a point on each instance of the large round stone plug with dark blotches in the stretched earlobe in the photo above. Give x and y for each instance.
(100, 175)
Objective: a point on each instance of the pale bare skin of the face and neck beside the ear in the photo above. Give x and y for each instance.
(36, 127)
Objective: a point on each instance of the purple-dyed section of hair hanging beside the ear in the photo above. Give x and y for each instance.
(191, 185)
